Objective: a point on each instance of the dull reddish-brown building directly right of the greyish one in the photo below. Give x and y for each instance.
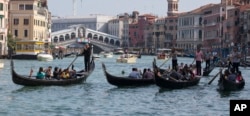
(212, 24)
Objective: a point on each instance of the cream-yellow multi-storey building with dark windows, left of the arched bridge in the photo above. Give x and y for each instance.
(29, 25)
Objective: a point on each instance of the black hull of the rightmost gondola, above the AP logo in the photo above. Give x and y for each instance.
(227, 85)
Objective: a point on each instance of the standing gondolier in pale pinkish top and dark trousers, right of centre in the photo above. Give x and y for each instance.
(198, 58)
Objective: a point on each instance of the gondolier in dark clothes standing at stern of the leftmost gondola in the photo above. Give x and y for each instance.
(87, 54)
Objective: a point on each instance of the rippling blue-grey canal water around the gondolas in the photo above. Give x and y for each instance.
(97, 97)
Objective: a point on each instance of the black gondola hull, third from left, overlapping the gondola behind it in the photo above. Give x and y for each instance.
(166, 81)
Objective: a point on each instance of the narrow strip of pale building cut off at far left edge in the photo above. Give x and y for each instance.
(3, 27)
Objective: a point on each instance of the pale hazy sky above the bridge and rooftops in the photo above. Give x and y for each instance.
(113, 7)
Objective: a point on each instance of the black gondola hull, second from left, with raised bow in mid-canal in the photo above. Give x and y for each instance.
(121, 81)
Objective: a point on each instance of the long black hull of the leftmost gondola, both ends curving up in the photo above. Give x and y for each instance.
(32, 81)
